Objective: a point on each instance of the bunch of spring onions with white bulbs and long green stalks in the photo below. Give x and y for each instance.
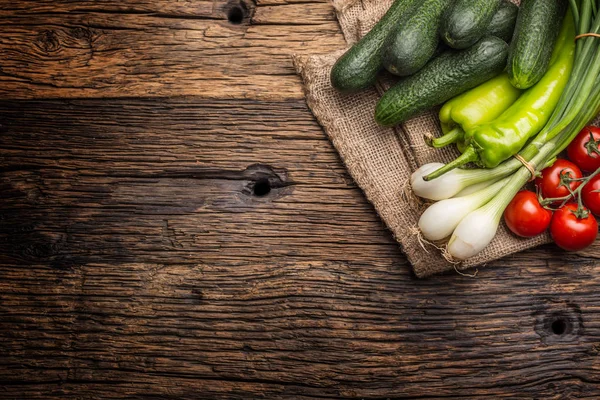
(579, 104)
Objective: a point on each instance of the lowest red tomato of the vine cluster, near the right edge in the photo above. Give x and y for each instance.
(571, 233)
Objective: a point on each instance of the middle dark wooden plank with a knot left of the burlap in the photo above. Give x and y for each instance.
(187, 162)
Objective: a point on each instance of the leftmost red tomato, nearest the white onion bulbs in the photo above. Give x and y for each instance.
(525, 216)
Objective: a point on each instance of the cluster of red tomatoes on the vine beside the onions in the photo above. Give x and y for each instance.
(572, 225)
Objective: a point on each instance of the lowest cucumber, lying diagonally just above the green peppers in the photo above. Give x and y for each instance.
(450, 74)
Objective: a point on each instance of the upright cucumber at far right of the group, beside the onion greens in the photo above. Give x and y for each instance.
(535, 35)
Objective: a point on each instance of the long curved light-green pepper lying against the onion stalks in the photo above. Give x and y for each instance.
(491, 143)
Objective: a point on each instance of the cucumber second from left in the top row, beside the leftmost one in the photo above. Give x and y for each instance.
(409, 47)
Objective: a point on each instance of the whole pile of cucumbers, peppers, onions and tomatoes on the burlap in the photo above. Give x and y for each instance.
(517, 85)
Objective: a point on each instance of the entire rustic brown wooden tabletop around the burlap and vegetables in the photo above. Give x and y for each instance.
(174, 224)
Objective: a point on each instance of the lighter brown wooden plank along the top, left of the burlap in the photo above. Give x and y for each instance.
(74, 50)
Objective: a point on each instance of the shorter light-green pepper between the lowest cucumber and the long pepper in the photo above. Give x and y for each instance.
(482, 104)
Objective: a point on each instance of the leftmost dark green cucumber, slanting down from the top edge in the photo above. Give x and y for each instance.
(358, 68)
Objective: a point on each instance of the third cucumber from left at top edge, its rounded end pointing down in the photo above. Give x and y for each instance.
(467, 21)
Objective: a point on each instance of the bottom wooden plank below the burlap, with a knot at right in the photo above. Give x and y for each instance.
(300, 329)
